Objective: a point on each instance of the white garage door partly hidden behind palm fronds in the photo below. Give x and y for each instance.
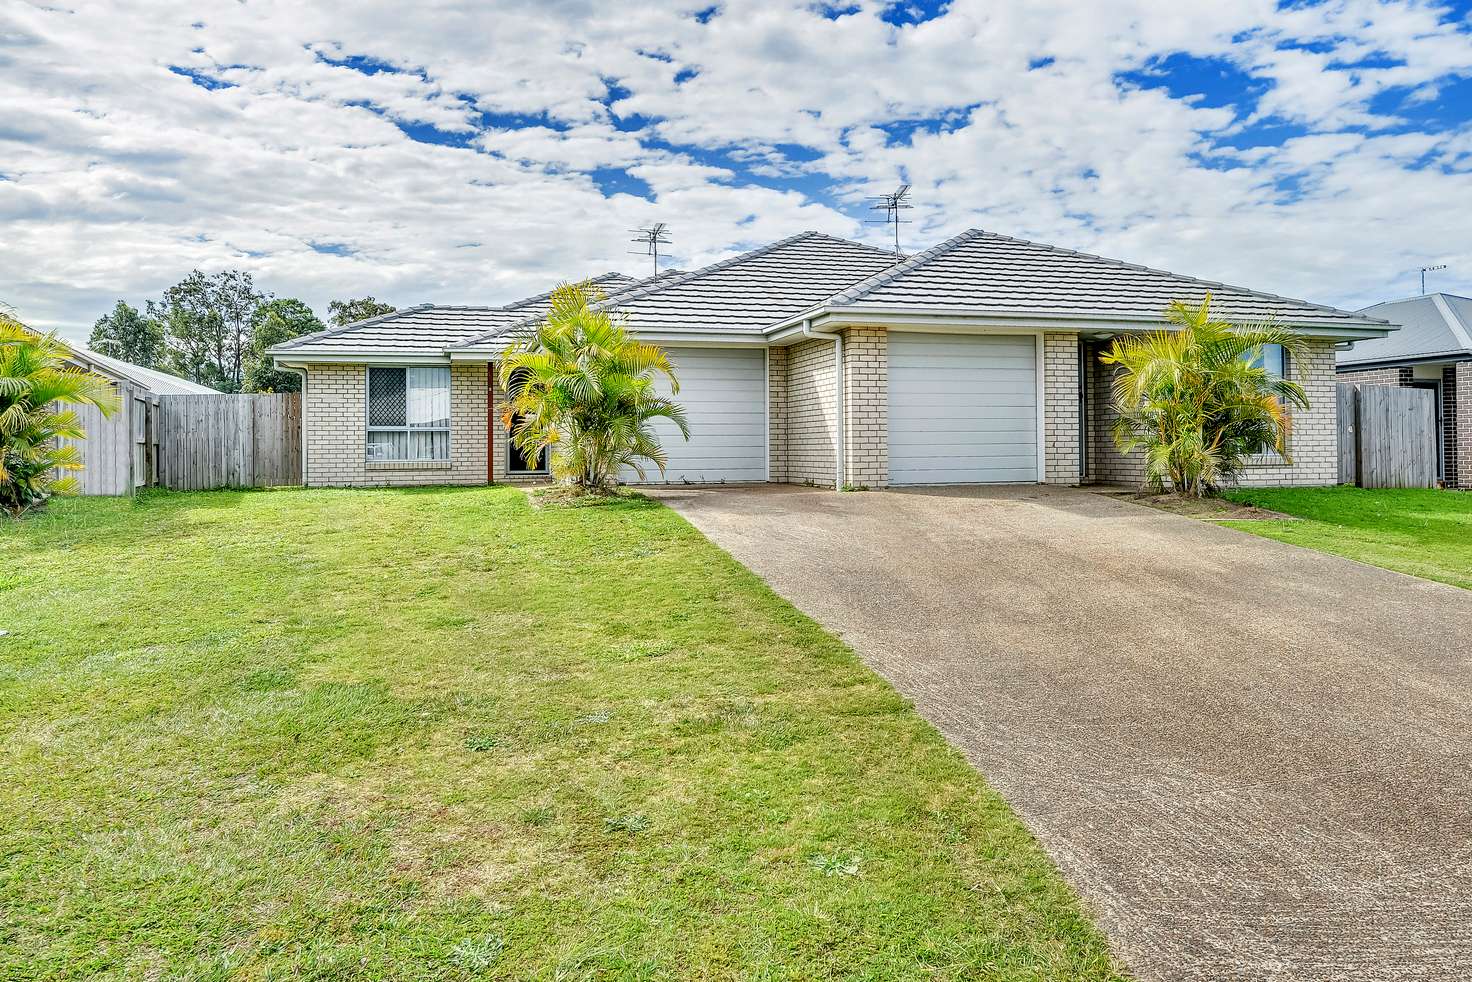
(725, 397)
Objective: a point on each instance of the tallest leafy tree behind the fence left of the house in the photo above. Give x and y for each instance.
(207, 326)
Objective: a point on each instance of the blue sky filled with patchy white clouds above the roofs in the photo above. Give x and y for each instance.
(479, 152)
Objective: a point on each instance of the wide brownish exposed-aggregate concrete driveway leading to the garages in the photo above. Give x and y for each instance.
(1255, 762)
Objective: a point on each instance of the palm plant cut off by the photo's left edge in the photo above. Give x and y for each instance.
(35, 385)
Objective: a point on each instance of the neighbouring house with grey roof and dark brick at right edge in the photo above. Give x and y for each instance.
(1433, 350)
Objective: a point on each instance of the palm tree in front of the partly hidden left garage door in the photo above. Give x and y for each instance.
(584, 391)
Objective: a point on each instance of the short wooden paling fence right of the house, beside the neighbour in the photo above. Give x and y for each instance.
(1387, 437)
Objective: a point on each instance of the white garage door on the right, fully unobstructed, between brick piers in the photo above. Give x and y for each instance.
(963, 410)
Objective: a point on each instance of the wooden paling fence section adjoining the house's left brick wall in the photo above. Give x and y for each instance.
(230, 441)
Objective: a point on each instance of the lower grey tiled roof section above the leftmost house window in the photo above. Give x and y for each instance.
(431, 329)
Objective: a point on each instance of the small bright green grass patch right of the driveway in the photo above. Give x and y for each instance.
(1421, 532)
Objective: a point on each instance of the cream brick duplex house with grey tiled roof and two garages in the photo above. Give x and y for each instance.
(816, 360)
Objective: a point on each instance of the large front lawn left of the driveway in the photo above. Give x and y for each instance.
(438, 734)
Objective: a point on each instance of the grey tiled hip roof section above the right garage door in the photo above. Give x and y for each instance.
(981, 272)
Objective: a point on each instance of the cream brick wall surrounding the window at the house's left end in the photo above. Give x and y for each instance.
(336, 432)
